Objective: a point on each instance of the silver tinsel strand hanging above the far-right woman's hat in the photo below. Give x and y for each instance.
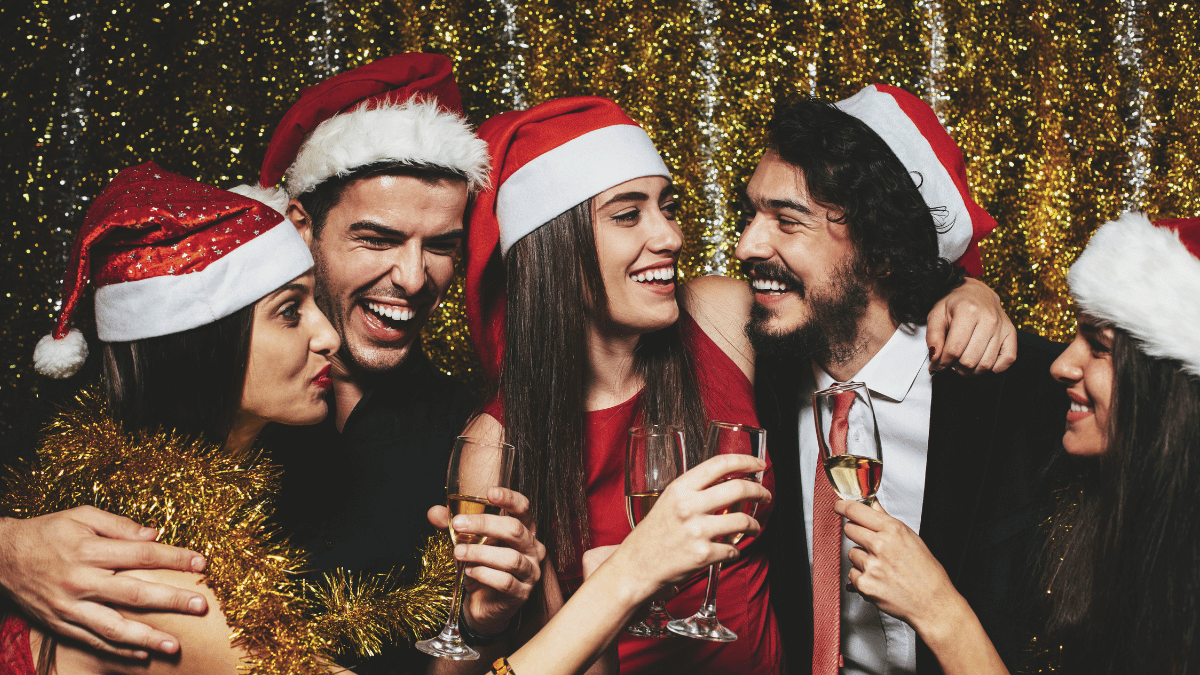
(1139, 124)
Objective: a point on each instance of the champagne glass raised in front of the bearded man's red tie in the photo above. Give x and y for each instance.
(851, 452)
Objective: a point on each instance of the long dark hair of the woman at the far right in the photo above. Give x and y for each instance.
(1125, 598)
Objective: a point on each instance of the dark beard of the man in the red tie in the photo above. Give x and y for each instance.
(831, 333)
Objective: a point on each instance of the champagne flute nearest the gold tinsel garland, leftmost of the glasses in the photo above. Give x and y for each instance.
(476, 467)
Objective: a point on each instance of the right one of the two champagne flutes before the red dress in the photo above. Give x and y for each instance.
(724, 439)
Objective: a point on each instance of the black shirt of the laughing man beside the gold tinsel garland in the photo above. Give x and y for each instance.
(358, 499)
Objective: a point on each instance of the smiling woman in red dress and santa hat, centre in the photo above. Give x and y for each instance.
(572, 297)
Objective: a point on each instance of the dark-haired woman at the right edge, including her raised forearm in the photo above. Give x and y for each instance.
(1121, 566)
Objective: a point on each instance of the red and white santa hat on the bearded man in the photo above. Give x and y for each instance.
(914, 133)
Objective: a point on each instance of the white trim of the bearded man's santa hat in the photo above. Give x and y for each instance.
(883, 114)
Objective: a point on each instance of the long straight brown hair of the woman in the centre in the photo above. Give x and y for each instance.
(554, 291)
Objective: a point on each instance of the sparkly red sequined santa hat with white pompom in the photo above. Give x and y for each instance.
(167, 254)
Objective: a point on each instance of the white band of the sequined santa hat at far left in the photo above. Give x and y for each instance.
(161, 306)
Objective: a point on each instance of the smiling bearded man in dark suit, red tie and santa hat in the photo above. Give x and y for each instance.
(843, 253)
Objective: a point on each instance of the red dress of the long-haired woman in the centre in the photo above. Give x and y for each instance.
(742, 598)
